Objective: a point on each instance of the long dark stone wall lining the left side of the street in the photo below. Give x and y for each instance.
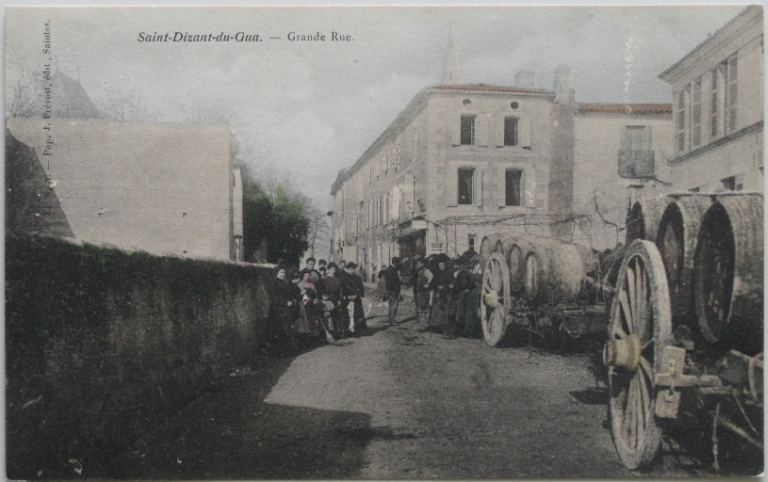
(102, 345)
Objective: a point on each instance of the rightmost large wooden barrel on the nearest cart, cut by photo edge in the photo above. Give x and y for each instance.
(728, 273)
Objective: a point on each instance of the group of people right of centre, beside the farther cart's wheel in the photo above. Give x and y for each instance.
(446, 292)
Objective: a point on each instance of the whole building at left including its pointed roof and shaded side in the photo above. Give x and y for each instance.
(156, 187)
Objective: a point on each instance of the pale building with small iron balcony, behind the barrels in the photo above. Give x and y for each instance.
(620, 154)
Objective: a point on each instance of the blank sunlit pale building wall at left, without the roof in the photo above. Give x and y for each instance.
(174, 191)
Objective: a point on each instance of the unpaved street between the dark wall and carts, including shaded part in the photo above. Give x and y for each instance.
(393, 403)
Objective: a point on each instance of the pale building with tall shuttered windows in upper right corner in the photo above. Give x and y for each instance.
(718, 109)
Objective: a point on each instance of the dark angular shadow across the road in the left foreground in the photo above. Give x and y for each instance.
(231, 433)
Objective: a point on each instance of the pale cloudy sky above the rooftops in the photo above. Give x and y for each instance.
(312, 108)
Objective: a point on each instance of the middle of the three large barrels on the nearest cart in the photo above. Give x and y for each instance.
(676, 239)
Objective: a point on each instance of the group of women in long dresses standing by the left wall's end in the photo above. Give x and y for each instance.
(315, 304)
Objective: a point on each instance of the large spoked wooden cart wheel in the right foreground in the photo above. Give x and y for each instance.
(638, 333)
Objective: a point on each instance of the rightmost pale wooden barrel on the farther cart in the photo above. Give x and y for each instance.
(556, 271)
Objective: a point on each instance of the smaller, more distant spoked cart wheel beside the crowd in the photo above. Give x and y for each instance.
(496, 300)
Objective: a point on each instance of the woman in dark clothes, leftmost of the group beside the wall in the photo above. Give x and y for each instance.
(283, 311)
